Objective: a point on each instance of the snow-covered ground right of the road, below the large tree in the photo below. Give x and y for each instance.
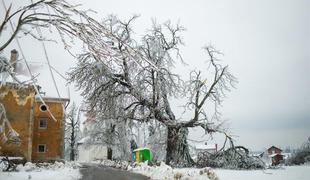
(166, 172)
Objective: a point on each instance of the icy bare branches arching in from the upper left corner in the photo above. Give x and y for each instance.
(70, 22)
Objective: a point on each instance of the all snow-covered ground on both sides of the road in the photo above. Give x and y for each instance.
(70, 171)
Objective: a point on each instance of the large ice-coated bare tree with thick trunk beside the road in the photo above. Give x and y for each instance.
(137, 78)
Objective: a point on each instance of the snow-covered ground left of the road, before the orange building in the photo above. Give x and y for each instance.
(57, 171)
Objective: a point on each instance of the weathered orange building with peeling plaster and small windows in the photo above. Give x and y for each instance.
(40, 126)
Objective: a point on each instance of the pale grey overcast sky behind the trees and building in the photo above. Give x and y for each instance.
(266, 43)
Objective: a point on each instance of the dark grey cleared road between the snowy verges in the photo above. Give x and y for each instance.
(107, 173)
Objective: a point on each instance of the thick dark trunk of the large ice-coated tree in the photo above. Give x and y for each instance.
(177, 147)
